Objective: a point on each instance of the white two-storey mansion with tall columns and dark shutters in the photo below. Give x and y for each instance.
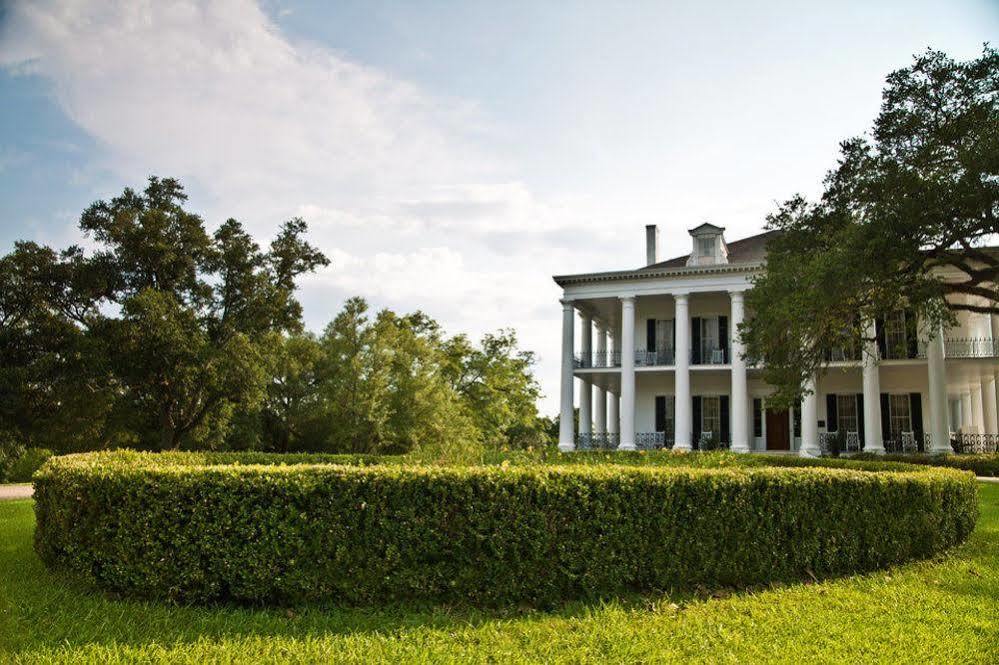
(659, 364)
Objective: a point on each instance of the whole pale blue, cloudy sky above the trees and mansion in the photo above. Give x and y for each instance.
(450, 157)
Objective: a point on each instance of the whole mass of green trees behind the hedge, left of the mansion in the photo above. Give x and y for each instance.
(168, 336)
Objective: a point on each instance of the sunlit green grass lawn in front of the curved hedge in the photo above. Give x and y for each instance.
(946, 610)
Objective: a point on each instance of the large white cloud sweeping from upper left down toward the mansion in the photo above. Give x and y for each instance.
(401, 186)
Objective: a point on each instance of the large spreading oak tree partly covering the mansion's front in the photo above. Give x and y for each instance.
(903, 222)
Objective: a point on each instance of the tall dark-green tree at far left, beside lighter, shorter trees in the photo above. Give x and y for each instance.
(167, 323)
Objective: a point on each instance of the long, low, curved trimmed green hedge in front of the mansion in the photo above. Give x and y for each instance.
(162, 526)
